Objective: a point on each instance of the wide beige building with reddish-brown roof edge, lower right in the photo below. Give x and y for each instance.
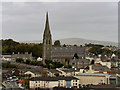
(93, 78)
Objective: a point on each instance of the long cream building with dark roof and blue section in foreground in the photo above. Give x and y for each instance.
(50, 82)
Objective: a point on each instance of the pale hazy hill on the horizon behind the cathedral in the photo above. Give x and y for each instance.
(78, 41)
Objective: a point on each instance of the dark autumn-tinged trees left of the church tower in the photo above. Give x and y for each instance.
(9, 46)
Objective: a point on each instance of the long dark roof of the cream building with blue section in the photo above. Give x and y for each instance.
(52, 78)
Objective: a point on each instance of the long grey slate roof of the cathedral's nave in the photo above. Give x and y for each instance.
(68, 49)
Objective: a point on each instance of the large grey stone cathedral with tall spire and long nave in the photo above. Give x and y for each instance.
(58, 53)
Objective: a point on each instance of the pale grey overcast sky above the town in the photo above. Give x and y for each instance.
(88, 20)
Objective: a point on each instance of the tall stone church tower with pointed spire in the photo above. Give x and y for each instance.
(47, 41)
